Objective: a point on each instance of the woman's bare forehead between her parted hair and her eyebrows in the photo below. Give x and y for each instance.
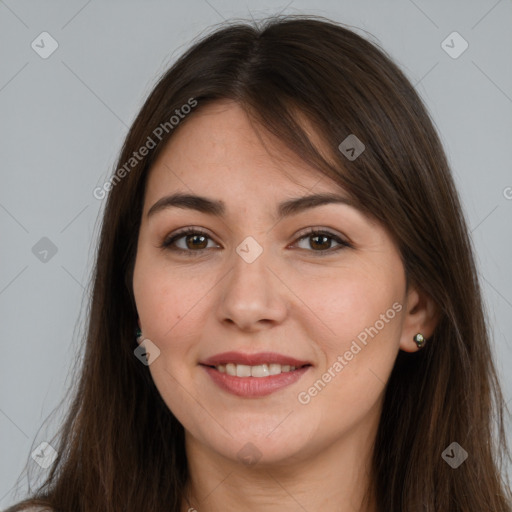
(221, 151)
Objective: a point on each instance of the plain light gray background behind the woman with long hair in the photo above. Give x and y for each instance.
(63, 120)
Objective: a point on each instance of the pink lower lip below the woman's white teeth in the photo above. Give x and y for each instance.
(254, 386)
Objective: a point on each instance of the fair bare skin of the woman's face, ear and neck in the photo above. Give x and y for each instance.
(313, 456)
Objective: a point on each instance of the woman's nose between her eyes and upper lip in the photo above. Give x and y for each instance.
(253, 296)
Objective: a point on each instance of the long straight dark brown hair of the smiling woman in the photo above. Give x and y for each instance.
(121, 449)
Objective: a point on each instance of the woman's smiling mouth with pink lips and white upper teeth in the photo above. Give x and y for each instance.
(254, 375)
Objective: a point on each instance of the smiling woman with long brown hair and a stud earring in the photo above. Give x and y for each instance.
(286, 313)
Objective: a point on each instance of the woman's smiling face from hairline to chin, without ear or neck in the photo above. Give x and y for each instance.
(254, 293)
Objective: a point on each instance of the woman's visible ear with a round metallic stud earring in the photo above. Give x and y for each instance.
(421, 316)
